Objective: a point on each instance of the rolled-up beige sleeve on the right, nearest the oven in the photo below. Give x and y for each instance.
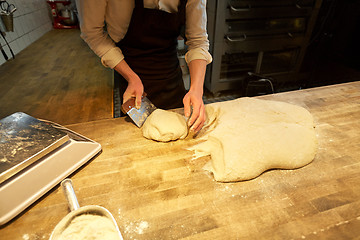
(195, 31)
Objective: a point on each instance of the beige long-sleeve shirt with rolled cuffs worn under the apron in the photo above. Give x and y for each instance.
(117, 14)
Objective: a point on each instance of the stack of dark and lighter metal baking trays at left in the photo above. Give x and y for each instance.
(35, 156)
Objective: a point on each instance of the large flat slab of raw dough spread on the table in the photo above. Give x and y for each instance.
(247, 136)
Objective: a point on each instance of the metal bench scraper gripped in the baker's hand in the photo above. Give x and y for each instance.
(139, 116)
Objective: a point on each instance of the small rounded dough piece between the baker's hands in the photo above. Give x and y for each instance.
(165, 126)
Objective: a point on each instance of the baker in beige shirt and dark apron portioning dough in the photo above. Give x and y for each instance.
(139, 43)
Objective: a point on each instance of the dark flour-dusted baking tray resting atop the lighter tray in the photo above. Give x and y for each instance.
(23, 141)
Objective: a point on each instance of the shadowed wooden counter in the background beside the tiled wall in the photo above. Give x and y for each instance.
(57, 78)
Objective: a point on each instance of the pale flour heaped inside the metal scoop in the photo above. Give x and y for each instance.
(90, 227)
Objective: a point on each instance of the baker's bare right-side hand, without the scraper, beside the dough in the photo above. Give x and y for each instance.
(194, 99)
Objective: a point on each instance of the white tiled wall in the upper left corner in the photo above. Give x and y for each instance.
(31, 20)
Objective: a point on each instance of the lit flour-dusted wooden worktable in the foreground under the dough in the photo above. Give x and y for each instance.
(152, 194)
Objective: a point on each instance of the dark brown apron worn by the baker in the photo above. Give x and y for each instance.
(149, 47)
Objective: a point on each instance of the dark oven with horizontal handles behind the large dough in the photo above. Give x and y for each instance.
(264, 37)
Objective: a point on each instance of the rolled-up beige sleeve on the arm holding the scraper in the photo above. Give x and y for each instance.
(92, 23)
